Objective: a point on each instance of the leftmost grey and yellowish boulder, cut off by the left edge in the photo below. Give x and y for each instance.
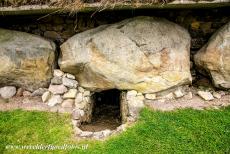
(25, 60)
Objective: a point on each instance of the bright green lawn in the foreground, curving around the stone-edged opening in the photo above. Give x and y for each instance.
(181, 131)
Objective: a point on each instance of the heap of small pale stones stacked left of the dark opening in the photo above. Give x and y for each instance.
(65, 92)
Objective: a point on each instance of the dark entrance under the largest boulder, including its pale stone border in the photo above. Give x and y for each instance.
(106, 114)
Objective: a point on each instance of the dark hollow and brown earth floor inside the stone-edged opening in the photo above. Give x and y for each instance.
(106, 111)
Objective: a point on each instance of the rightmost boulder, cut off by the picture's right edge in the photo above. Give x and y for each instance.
(214, 58)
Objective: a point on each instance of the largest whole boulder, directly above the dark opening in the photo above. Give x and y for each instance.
(146, 54)
